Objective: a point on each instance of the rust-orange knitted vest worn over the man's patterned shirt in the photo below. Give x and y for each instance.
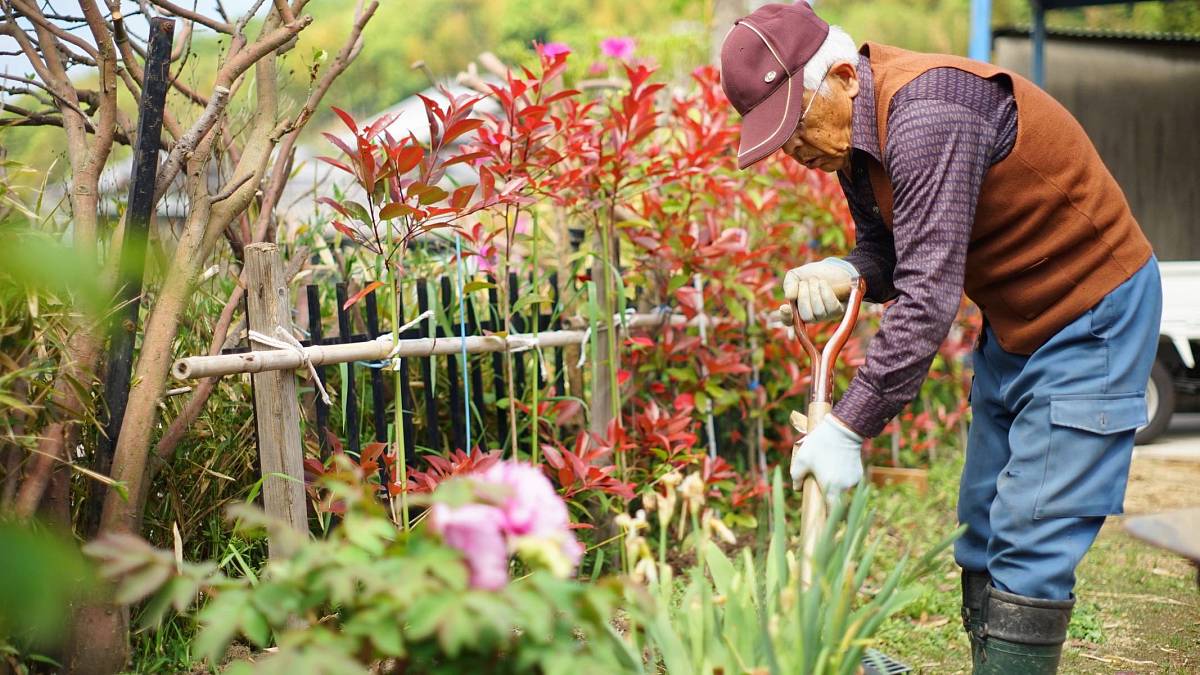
(1053, 232)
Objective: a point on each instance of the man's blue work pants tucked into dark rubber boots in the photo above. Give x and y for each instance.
(1051, 443)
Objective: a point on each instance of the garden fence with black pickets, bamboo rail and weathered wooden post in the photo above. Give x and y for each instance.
(536, 336)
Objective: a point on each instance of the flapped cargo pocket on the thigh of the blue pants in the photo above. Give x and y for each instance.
(1088, 461)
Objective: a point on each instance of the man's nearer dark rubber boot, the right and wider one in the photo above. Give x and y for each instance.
(1021, 636)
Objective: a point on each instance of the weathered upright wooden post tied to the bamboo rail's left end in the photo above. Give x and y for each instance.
(277, 408)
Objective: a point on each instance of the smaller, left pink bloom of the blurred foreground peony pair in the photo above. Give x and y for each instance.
(476, 531)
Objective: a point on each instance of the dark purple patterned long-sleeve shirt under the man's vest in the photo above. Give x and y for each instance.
(946, 129)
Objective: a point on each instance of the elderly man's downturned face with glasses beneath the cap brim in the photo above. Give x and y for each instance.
(823, 139)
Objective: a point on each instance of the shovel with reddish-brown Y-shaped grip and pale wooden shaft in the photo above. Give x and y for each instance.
(813, 505)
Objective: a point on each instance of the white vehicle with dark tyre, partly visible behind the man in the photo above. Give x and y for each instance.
(1175, 381)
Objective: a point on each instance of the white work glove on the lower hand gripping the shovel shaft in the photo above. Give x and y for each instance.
(833, 455)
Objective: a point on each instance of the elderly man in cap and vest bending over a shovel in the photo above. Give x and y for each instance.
(963, 176)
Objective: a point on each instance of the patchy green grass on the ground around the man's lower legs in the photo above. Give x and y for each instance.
(1139, 608)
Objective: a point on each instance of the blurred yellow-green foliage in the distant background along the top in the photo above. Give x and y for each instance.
(676, 34)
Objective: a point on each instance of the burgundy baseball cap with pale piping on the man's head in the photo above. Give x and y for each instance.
(763, 74)
